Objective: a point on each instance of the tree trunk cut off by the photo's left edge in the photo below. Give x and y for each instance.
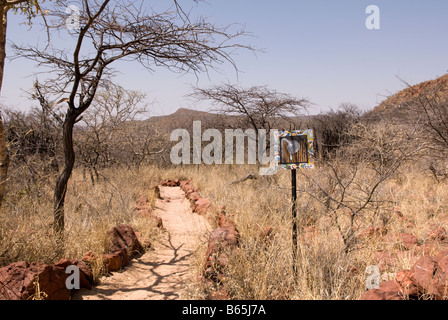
(4, 158)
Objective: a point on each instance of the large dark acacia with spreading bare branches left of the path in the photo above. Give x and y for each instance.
(123, 30)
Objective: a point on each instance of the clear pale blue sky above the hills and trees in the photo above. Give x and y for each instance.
(316, 49)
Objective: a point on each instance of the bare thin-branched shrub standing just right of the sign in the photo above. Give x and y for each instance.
(349, 183)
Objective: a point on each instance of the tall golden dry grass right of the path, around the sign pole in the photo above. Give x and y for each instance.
(324, 269)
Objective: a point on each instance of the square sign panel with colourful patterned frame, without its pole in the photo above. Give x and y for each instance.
(294, 149)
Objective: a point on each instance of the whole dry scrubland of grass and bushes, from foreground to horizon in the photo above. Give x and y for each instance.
(379, 175)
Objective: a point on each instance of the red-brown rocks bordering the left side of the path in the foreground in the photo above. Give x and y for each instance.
(24, 281)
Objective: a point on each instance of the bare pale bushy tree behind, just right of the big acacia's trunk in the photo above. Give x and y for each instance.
(111, 132)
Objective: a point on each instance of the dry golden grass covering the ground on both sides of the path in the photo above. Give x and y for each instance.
(257, 270)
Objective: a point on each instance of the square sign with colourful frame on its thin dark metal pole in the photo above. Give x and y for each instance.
(294, 150)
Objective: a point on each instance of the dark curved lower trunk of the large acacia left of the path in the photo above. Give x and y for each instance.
(62, 181)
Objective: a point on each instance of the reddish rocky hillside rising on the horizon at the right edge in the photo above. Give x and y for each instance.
(399, 105)
